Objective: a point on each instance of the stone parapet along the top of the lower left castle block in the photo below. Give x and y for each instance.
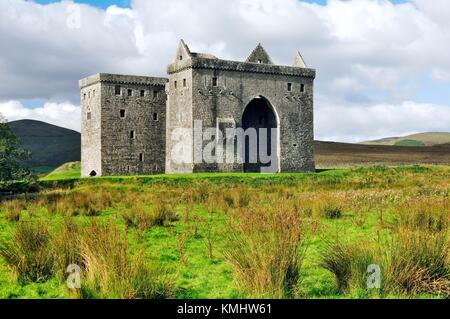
(121, 79)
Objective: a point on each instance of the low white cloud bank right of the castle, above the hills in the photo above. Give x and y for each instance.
(357, 123)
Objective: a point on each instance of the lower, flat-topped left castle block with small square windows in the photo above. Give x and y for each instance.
(131, 143)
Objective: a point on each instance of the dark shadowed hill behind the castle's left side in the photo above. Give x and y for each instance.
(50, 145)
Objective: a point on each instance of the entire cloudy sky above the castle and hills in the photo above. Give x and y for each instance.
(383, 67)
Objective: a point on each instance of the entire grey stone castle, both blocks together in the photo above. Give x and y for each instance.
(128, 121)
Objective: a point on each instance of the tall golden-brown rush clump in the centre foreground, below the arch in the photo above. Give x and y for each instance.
(262, 247)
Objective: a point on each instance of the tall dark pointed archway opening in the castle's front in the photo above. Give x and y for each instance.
(258, 115)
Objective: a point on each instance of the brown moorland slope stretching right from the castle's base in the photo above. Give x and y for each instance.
(330, 154)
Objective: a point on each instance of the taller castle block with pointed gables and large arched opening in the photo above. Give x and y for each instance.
(230, 94)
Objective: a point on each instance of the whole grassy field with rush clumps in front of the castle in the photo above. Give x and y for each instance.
(232, 236)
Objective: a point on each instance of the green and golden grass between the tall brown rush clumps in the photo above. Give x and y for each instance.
(370, 199)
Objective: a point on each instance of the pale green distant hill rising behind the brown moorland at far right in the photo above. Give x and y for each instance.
(420, 139)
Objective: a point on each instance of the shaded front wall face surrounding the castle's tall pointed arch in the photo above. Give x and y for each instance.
(233, 93)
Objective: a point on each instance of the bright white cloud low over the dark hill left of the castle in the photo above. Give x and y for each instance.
(60, 114)
